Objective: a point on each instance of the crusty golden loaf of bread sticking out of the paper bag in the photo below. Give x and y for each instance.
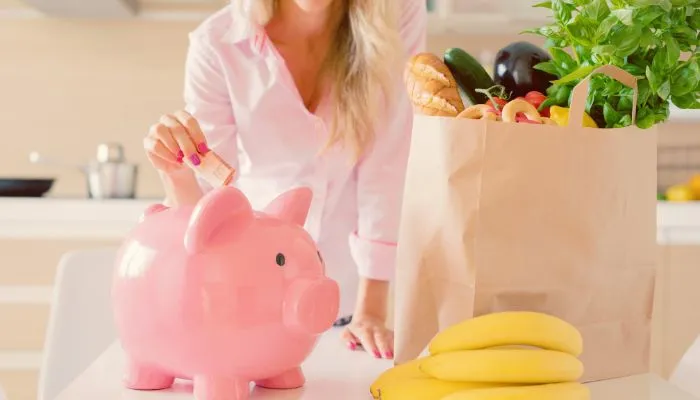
(431, 86)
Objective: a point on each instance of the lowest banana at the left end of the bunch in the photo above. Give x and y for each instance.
(424, 389)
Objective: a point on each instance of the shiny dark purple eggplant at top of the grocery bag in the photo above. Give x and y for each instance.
(514, 69)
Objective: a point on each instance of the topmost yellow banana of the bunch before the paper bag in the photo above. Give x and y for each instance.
(509, 328)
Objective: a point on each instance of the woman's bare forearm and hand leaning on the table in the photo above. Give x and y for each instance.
(368, 326)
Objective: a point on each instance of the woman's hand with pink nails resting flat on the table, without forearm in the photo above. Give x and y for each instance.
(372, 334)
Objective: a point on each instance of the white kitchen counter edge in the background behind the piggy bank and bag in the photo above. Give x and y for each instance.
(54, 218)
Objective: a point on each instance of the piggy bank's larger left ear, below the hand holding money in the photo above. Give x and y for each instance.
(219, 215)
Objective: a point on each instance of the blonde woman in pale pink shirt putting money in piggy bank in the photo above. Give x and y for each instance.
(307, 92)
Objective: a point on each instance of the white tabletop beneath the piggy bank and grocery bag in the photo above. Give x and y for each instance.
(332, 372)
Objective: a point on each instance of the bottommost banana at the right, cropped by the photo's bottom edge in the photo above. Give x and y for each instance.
(555, 391)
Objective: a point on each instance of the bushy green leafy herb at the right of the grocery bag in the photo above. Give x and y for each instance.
(658, 41)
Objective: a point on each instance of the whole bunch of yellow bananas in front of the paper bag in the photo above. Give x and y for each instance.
(500, 356)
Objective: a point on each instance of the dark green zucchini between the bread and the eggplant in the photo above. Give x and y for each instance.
(469, 74)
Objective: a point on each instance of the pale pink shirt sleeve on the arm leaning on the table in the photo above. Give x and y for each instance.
(381, 173)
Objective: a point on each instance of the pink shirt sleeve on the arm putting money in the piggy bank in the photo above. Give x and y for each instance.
(207, 98)
